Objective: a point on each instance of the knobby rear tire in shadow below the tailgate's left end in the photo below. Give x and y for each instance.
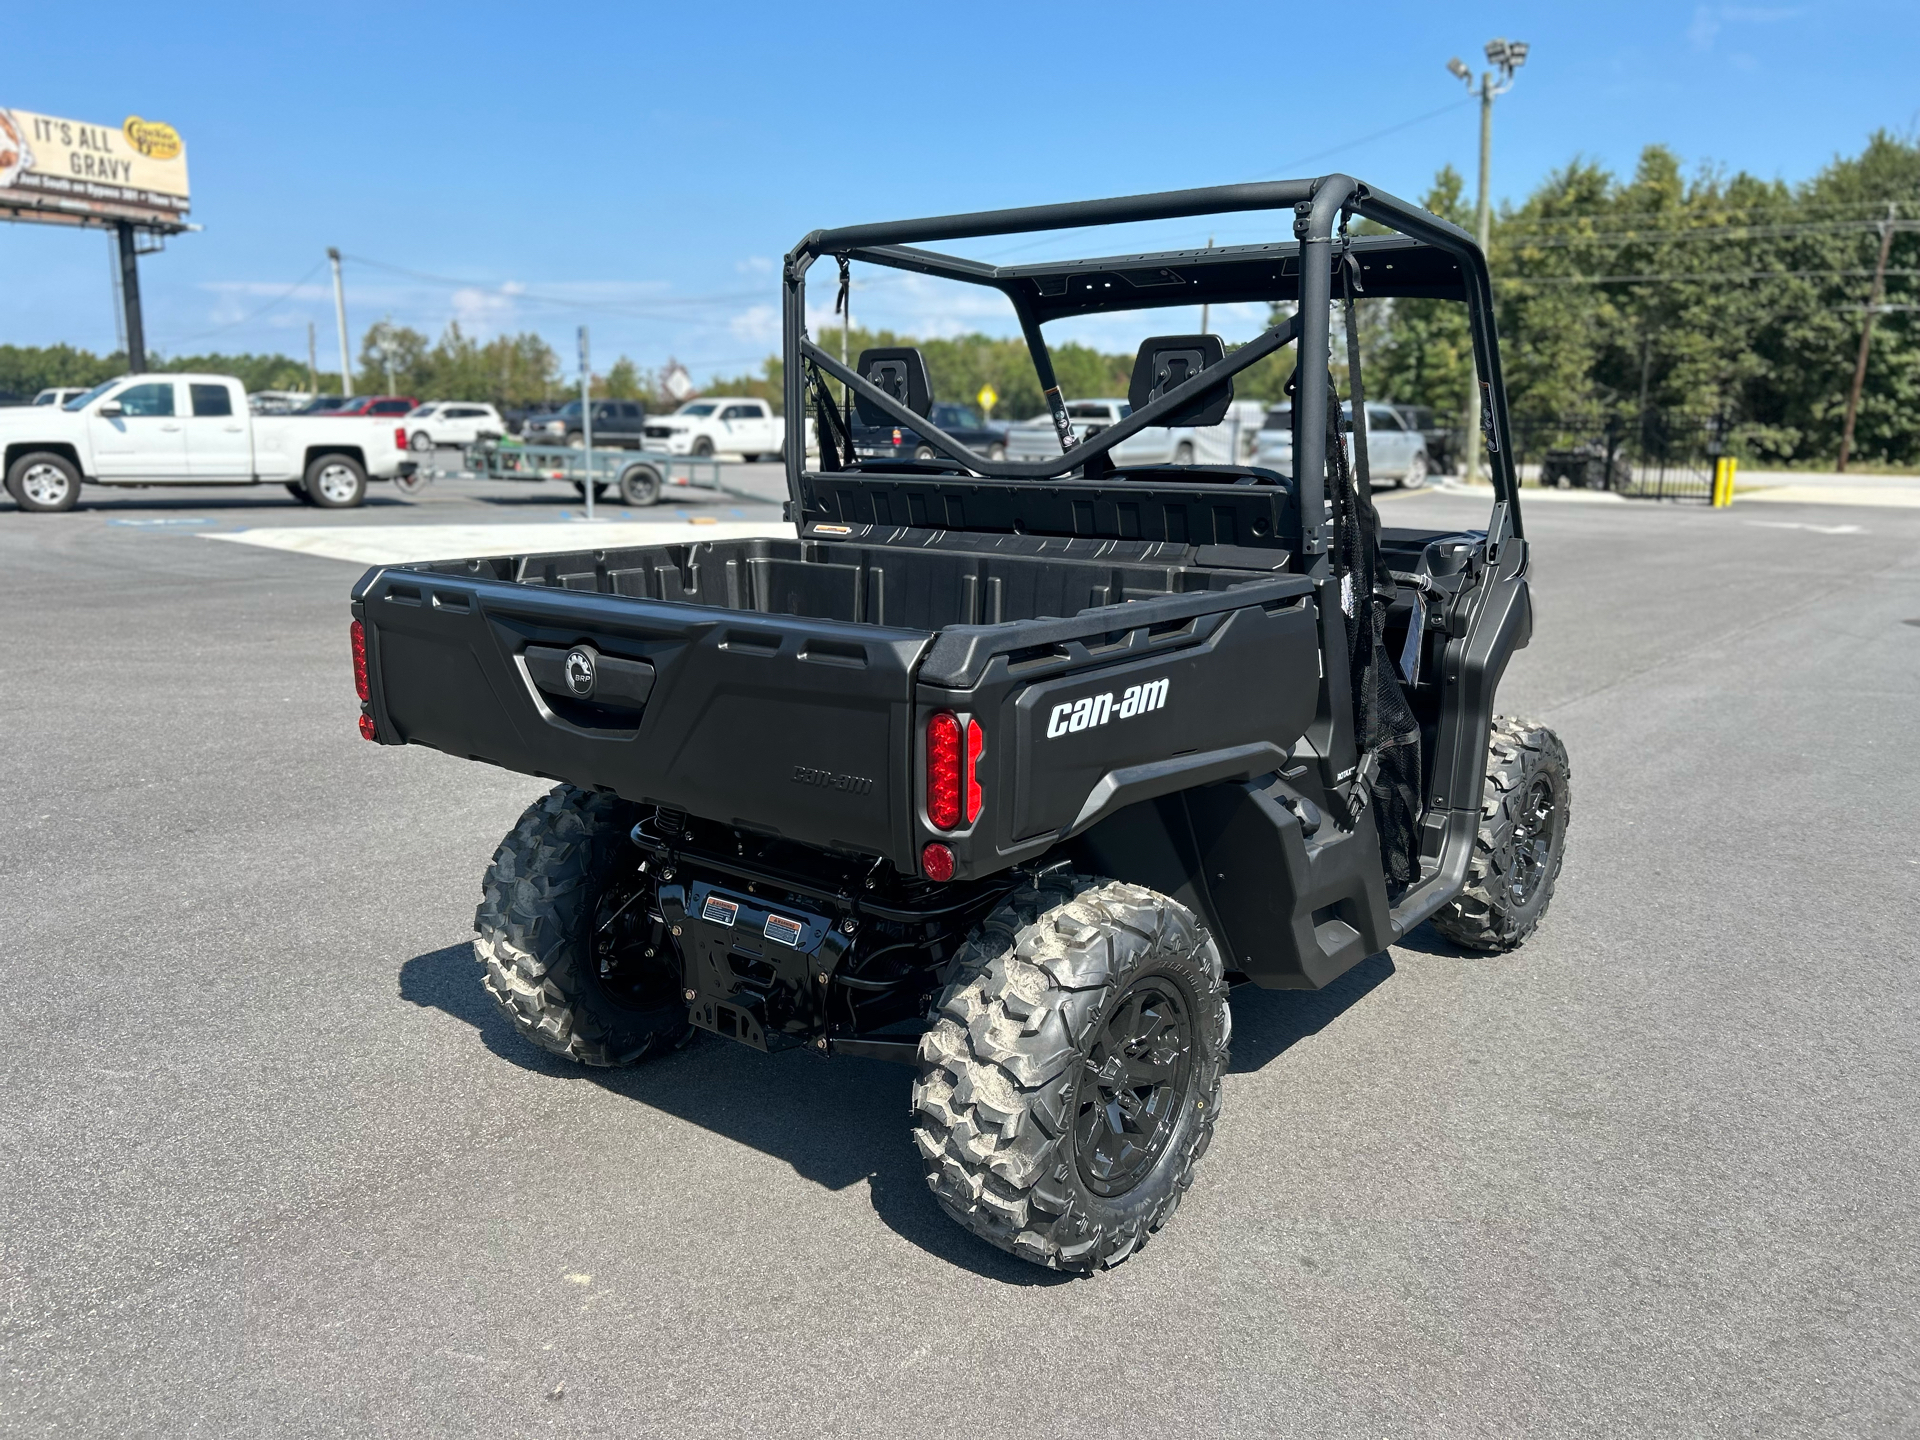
(556, 971)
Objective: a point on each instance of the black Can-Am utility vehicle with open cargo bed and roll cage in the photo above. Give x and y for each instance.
(1003, 769)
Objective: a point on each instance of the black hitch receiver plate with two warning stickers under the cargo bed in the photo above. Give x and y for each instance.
(750, 965)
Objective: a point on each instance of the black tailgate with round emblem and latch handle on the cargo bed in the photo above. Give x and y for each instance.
(782, 725)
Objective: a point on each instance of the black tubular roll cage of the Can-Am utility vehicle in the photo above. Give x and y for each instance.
(1424, 258)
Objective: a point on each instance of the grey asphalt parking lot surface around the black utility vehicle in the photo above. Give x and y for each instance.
(274, 1166)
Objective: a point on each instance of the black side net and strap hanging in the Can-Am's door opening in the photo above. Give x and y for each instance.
(1385, 729)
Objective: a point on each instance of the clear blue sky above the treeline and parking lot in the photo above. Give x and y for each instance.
(642, 168)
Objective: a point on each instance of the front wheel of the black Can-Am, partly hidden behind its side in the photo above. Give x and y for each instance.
(1524, 838)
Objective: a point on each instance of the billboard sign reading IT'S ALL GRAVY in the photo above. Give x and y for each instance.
(74, 174)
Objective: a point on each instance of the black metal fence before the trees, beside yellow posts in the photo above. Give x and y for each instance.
(1654, 456)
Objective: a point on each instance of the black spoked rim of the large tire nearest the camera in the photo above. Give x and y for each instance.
(1132, 1086)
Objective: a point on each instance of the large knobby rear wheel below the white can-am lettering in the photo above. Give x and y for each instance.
(1072, 1076)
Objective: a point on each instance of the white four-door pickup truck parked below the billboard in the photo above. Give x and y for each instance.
(191, 431)
